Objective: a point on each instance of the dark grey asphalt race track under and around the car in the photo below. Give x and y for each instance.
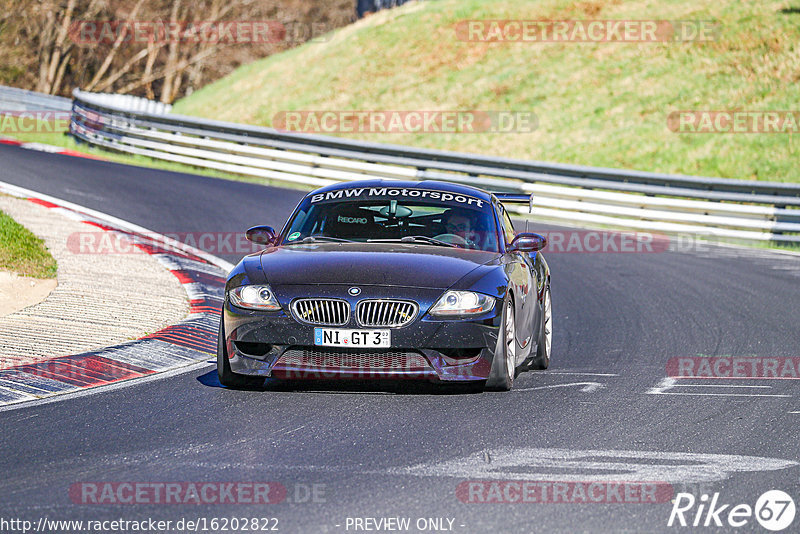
(605, 411)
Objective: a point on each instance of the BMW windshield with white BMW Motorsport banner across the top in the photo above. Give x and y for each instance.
(434, 218)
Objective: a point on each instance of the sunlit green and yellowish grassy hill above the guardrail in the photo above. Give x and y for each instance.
(600, 103)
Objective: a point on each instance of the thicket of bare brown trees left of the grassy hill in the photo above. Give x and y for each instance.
(41, 49)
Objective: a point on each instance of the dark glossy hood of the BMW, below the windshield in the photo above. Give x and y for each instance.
(409, 265)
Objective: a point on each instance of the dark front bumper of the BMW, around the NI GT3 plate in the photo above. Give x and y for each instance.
(275, 344)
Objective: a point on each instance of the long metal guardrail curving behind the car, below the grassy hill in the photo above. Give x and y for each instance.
(724, 208)
